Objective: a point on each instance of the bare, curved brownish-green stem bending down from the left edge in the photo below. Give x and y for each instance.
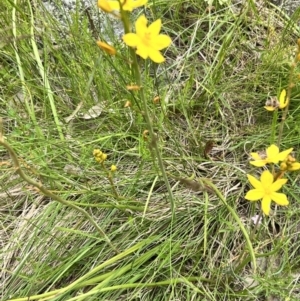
(48, 193)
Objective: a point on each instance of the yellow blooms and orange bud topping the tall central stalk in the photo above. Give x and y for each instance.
(147, 40)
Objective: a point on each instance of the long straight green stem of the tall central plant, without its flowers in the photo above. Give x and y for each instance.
(146, 115)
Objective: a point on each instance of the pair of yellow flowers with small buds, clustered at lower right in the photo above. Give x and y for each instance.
(266, 189)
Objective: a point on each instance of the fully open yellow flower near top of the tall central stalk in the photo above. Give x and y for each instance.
(147, 40)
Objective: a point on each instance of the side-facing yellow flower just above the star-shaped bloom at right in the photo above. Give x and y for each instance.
(272, 155)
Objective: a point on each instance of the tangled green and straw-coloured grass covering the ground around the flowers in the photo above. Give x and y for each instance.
(220, 69)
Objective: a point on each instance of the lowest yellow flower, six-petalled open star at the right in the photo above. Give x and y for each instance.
(265, 189)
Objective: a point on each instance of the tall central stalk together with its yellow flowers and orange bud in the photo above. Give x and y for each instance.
(146, 42)
